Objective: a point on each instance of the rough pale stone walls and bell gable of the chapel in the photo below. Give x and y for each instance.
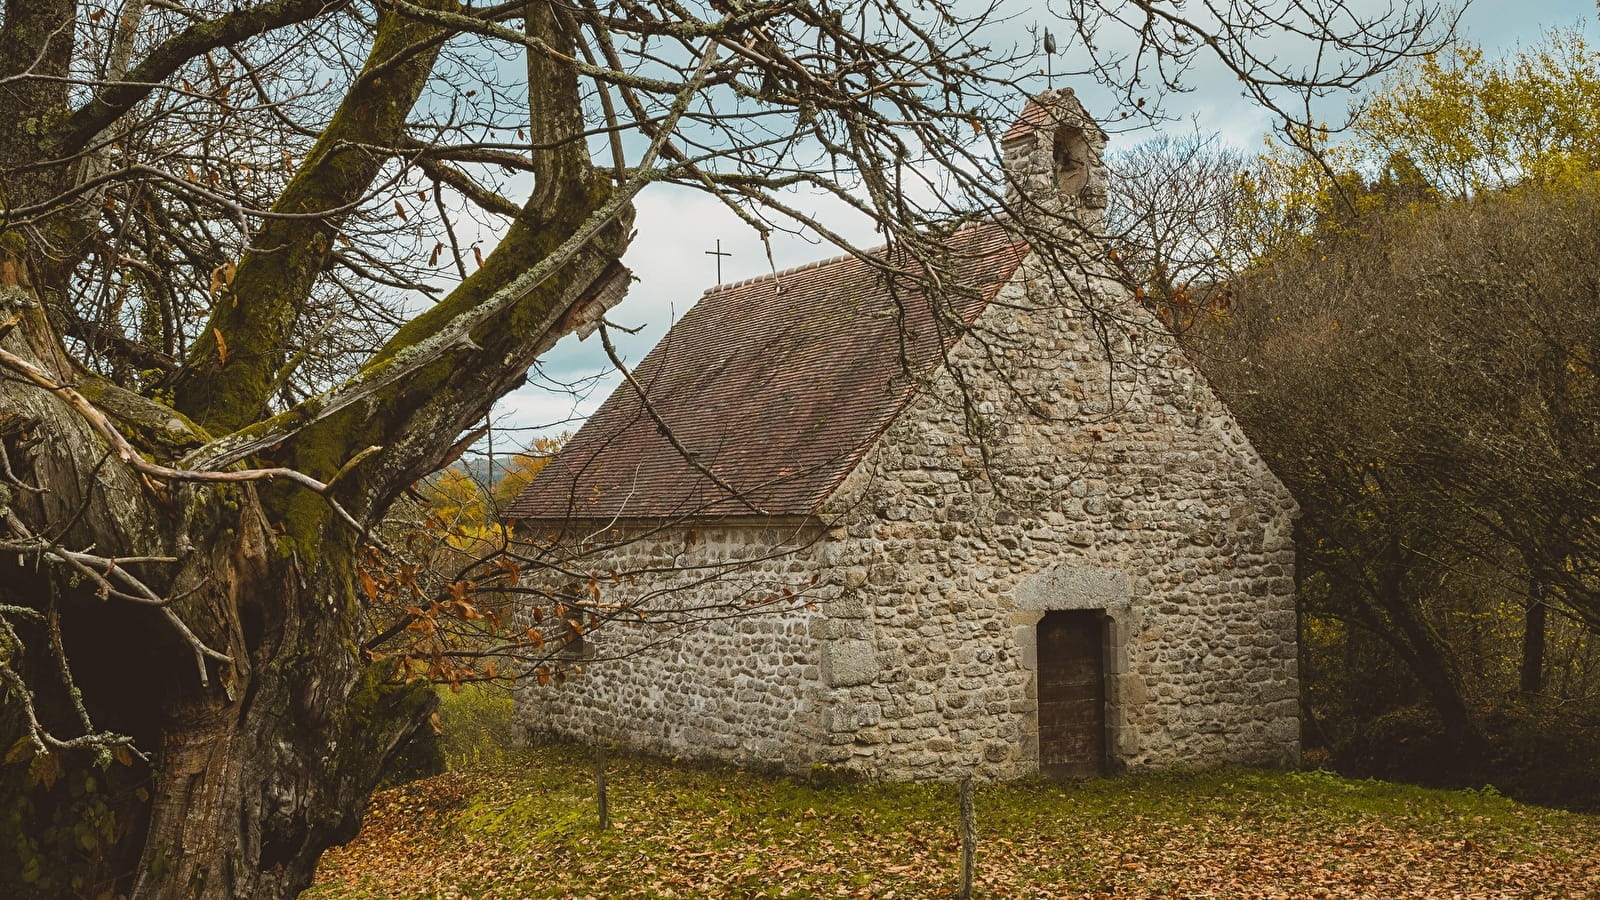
(1066, 467)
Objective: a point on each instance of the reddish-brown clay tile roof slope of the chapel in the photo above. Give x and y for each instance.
(775, 387)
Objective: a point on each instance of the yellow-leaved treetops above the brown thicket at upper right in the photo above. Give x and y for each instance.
(1452, 126)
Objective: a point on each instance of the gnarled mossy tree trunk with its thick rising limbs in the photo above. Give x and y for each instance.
(217, 622)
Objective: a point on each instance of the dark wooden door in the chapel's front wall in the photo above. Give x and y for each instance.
(1071, 694)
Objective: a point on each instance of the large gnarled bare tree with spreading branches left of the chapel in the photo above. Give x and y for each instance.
(246, 305)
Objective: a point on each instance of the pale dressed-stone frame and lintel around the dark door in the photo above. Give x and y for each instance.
(1081, 589)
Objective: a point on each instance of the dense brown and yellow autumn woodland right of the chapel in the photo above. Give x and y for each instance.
(1406, 326)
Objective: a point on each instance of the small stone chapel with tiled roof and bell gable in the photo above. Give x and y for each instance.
(833, 523)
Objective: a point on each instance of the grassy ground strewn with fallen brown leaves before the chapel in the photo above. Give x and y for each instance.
(529, 830)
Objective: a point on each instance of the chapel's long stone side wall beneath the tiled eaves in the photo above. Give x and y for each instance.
(710, 651)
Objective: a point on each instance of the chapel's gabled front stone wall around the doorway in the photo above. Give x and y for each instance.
(1068, 483)
